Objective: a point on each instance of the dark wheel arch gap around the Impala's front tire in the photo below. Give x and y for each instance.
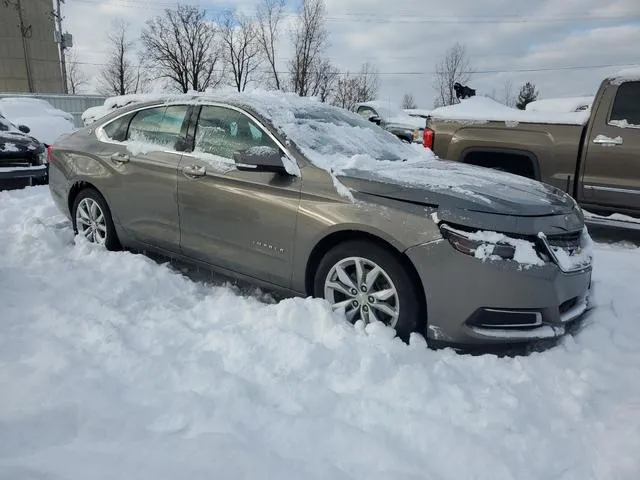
(327, 243)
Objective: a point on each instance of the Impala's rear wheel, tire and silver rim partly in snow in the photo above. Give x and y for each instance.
(92, 219)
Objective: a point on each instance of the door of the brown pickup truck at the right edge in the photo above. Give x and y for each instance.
(612, 169)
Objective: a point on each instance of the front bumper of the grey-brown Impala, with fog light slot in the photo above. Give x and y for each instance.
(472, 302)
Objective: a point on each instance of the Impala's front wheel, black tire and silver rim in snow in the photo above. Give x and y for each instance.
(371, 284)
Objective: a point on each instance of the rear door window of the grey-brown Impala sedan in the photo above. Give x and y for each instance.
(158, 125)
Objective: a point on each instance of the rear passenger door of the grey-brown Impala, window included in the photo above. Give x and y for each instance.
(142, 148)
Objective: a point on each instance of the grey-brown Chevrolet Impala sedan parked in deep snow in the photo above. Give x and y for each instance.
(314, 200)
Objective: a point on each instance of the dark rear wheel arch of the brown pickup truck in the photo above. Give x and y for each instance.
(518, 162)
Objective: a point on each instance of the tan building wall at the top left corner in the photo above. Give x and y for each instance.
(41, 49)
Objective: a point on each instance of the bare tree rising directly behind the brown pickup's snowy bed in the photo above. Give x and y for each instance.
(453, 67)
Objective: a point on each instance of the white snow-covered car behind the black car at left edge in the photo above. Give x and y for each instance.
(45, 122)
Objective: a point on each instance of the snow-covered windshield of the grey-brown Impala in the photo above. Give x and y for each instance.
(332, 132)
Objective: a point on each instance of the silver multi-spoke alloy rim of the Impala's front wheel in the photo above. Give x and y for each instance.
(364, 290)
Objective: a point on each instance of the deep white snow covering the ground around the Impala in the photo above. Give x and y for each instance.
(115, 367)
